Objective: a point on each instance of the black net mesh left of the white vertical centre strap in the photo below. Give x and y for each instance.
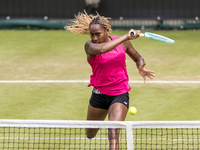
(22, 138)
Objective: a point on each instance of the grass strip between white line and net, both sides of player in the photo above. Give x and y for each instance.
(69, 101)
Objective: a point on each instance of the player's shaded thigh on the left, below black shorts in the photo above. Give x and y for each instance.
(96, 113)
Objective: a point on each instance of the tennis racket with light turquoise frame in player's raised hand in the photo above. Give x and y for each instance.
(155, 37)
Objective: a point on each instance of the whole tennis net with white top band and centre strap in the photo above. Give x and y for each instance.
(70, 135)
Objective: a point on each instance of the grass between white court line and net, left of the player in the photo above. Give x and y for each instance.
(43, 101)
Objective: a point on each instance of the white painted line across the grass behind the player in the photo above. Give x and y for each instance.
(86, 81)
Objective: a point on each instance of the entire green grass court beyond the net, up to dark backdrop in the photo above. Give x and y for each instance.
(59, 55)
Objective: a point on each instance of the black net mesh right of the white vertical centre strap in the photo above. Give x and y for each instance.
(167, 138)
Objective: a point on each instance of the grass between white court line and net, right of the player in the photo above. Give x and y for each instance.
(165, 102)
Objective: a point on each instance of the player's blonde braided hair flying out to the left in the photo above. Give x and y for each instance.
(82, 22)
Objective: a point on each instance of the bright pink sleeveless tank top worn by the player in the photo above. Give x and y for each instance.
(110, 75)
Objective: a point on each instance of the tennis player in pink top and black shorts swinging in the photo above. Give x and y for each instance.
(106, 56)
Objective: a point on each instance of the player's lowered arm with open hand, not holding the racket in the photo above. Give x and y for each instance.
(137, 58)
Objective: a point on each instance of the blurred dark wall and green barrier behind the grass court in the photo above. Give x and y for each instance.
(140, 14)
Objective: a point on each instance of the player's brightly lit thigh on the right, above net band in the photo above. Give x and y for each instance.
(117, 112)
